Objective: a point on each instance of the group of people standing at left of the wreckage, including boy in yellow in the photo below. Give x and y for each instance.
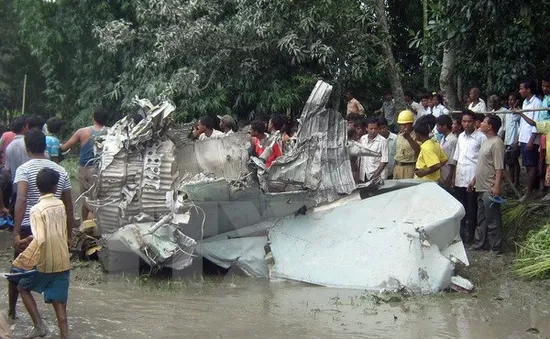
(36, 197)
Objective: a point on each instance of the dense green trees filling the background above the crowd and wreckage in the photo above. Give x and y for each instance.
(262, 56)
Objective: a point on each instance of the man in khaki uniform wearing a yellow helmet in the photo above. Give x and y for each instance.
(407, 148)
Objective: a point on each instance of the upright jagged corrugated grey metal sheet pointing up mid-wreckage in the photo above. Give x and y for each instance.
(320, 160)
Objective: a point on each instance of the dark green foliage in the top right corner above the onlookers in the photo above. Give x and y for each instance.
(500, 43)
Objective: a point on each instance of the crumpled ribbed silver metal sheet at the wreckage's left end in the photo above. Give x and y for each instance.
(137, 167)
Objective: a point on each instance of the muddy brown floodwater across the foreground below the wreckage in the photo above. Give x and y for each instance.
(113, 306)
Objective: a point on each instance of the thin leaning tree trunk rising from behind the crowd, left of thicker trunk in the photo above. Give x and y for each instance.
(392, 71)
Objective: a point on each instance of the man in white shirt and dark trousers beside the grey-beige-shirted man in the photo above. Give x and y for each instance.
(466, 154)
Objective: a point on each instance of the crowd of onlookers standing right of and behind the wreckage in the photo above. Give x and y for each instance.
(469, 153)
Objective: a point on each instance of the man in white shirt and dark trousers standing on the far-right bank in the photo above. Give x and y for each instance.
(528, 138)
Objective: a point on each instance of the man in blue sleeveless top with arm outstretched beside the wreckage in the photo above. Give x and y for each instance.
(85, 137)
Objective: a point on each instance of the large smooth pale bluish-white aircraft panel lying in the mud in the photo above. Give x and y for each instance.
(386, 242)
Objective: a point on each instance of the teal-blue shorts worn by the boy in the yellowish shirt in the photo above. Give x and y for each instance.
(55, 286)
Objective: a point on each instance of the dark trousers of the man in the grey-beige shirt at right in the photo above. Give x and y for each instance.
(489, 223)
